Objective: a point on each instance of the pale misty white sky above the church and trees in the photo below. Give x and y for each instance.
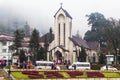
(39, 13)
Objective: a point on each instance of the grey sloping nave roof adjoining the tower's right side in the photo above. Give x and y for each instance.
(79, 41)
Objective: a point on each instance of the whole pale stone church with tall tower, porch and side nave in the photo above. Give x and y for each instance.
(65, 46)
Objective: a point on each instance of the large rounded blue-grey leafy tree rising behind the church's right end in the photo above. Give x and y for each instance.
(97, 21)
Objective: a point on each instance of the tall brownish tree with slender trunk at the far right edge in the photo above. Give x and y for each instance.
(111, 35)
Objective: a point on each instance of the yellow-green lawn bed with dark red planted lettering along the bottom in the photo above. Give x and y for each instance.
(63, 74)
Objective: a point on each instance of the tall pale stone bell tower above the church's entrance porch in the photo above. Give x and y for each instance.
(63, 27)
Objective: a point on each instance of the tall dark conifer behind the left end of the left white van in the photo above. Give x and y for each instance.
(34, 44)
